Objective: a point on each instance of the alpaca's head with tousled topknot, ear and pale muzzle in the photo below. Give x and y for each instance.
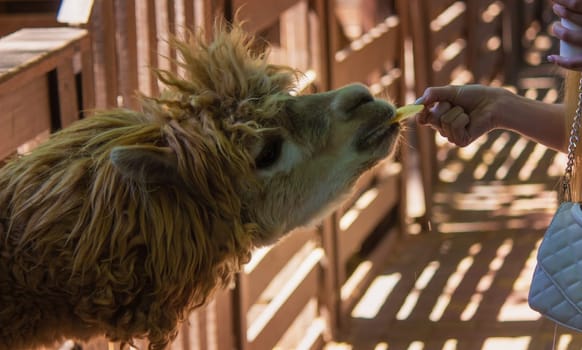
(238, 138)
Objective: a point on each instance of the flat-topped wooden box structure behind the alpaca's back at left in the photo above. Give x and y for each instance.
(51, 67)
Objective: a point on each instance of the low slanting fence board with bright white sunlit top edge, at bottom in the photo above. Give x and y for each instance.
(270, 326)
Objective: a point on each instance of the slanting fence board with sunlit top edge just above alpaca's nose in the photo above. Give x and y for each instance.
(368, 53)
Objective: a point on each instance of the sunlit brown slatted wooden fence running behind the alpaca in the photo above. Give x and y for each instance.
(296, 294)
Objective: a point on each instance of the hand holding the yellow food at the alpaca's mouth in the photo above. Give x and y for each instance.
(460, 113)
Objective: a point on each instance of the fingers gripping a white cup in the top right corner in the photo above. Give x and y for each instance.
(570, 10)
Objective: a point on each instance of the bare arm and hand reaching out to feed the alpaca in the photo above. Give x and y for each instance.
(463, 113)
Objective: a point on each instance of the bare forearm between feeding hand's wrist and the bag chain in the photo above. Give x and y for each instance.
(542, 122)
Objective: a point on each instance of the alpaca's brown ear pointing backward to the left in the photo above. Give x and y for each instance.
(146, 164)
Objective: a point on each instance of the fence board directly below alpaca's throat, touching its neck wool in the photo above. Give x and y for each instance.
(273, 262)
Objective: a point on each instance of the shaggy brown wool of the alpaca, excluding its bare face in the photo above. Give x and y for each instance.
(95, 242)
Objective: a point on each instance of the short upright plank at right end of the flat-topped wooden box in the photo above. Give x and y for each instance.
(67, 93)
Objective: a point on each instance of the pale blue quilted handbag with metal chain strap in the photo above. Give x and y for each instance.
(556, 287)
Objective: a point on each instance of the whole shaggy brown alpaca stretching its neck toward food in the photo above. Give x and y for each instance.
(125, 221)
